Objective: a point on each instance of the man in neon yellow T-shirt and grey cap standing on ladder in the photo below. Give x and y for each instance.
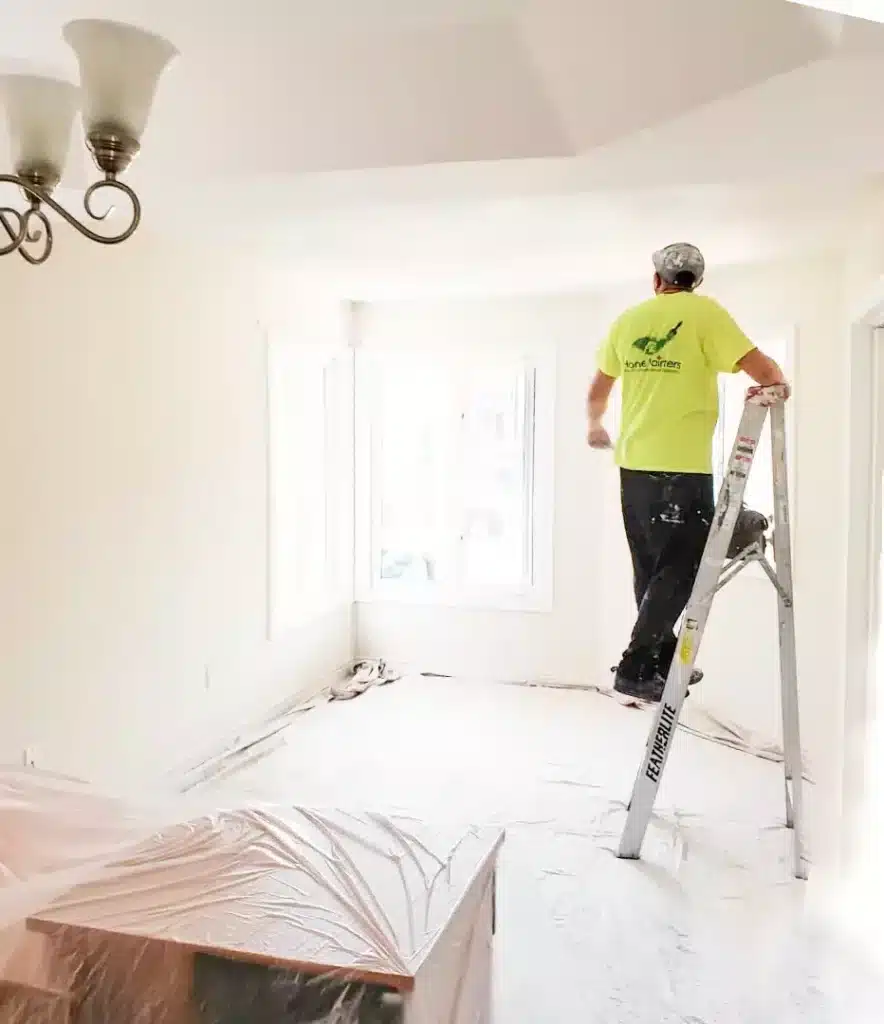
(669, 353)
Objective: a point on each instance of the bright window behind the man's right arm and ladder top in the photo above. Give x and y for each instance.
(732, 398)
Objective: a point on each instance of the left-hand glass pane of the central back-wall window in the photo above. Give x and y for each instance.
(412, 475)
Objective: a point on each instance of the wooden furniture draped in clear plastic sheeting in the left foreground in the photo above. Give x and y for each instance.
(178, 911)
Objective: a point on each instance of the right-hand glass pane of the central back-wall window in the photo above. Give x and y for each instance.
(495, 458)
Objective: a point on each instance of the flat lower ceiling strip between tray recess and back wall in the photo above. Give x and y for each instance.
(537, 242)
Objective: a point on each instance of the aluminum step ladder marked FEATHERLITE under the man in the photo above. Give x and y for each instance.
(715, 572)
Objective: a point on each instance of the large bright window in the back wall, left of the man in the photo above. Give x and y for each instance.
(458, 452)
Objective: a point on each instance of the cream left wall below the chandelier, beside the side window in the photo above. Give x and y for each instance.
(134, 518)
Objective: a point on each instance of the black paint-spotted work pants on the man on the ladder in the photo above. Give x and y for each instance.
(667, 519)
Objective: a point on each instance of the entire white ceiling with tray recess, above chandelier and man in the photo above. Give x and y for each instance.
(392, 146)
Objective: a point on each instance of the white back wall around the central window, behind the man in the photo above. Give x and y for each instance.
(584, 634)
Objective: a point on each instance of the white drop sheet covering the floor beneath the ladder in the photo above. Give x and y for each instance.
(708, 929)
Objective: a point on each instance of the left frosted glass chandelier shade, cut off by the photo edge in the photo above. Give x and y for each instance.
(40, 116)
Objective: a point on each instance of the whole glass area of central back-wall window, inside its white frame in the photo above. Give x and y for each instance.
(452, 475)
